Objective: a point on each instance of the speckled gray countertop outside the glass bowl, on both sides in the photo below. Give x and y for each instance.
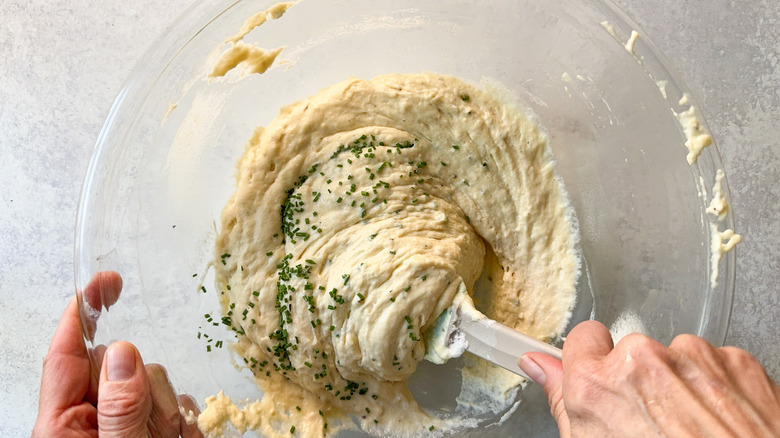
(62, 62)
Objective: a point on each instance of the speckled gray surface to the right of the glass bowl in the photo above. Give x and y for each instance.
(728, 52)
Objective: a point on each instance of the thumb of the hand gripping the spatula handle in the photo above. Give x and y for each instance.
(547, 371)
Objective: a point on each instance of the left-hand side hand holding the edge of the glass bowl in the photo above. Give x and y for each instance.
(122, 397)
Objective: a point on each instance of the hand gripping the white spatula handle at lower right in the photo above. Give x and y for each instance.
(642, 388)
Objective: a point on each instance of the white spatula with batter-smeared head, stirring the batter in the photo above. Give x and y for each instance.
(488, 339)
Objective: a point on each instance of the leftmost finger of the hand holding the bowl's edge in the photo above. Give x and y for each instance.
(64, 381)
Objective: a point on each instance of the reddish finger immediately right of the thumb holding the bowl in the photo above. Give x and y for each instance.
(164, 421)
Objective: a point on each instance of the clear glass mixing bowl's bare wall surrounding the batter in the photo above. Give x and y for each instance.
(163, 166)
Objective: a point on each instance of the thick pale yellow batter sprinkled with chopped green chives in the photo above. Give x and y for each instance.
(359, 215)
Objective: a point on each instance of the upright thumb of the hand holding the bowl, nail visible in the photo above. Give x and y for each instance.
(124, 400)
